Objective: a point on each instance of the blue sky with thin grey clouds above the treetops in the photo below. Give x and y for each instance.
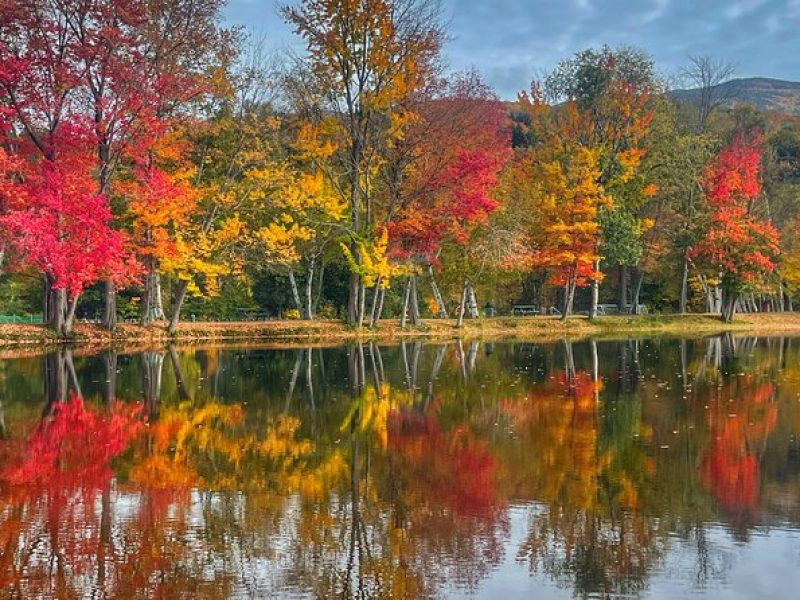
(512, 42)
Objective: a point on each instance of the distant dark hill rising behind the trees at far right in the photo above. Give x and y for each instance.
(766, 94)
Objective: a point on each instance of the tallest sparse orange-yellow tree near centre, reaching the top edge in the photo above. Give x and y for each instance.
(364, 59)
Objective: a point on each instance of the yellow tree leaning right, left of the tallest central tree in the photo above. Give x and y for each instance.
(237, 169)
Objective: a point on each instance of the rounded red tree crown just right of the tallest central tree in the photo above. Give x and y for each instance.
(458, 146)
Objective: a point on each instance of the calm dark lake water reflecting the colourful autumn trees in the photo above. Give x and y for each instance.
(648, 468)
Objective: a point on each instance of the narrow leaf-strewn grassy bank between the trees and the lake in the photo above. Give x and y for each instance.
(288, 332)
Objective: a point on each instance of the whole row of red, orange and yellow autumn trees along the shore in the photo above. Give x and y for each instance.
(154, 164)
